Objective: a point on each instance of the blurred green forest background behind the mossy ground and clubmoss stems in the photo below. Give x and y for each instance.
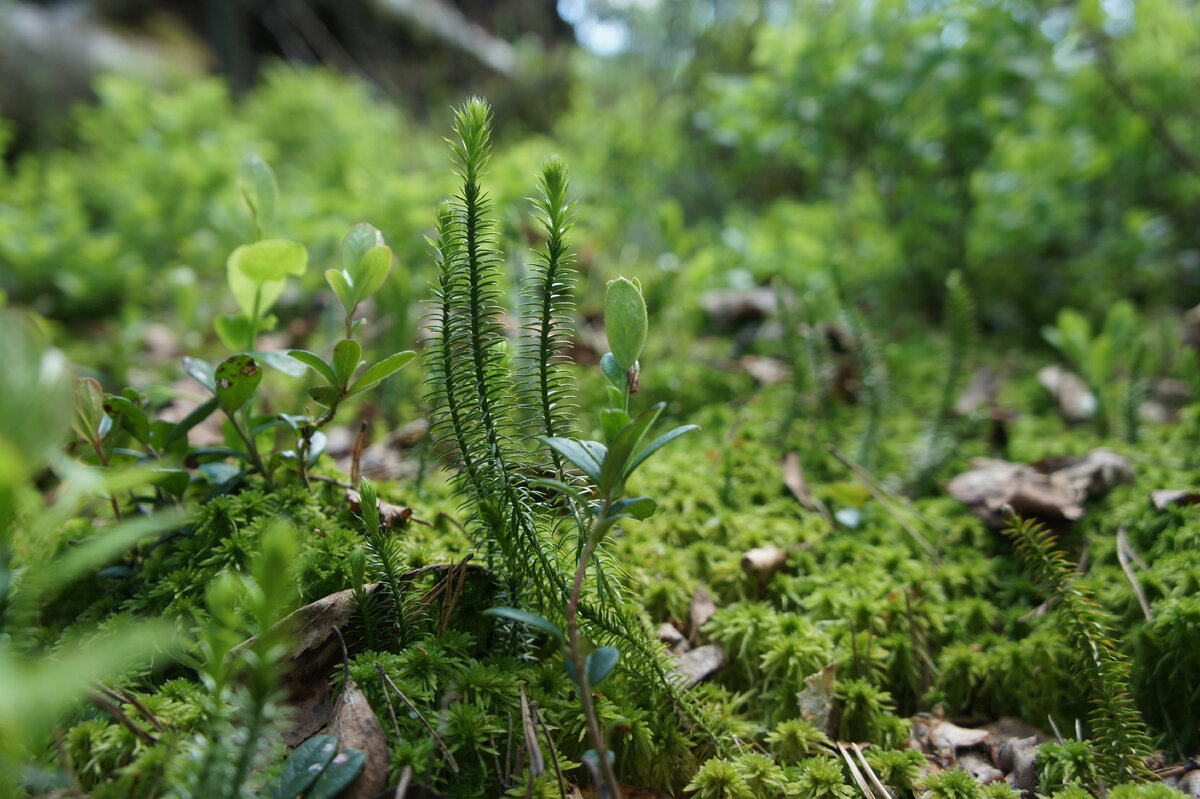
(1048, 151)
